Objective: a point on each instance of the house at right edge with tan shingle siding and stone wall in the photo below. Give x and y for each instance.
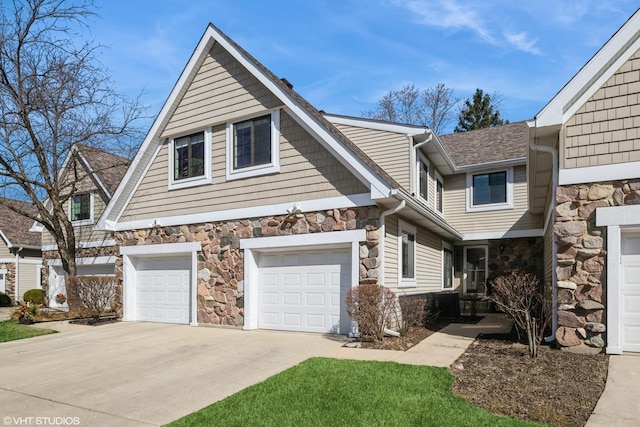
(584, 178)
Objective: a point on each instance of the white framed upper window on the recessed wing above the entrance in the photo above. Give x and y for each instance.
(490, 190)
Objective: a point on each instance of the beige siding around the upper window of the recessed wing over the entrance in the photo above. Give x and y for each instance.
(517, 218)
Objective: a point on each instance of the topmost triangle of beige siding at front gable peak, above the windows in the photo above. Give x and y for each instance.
(222, 90)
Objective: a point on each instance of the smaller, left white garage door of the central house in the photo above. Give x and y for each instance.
(162, 289)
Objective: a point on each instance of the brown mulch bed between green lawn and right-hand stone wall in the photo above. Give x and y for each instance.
(557, 387)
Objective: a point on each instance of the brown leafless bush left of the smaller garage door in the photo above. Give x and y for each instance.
(95, 293)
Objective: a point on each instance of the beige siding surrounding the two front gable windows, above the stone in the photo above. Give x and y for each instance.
(307, 171)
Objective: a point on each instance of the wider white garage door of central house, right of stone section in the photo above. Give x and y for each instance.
(304, 291)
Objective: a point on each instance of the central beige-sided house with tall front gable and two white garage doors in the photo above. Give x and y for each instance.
(247, 206)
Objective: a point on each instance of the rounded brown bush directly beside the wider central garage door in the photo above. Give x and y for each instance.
(371, 306)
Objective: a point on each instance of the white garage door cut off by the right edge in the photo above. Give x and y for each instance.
(630, 292)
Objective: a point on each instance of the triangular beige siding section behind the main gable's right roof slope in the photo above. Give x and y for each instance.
(389, 150)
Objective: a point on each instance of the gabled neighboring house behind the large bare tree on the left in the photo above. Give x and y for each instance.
(98, 175)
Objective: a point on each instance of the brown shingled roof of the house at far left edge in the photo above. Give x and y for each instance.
(15, 227)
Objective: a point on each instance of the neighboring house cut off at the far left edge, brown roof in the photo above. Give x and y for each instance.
(20, 256)
